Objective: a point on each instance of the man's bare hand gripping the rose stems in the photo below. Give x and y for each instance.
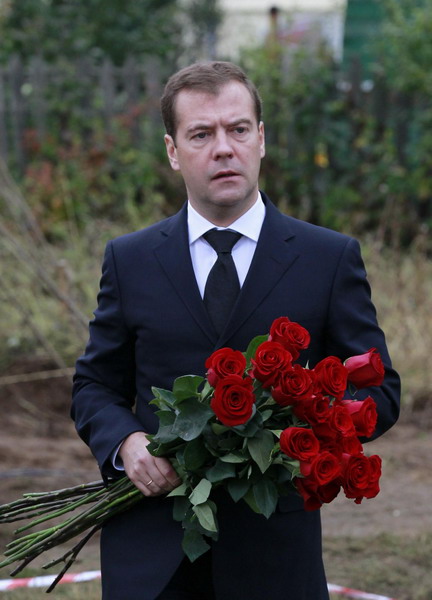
(153, 476)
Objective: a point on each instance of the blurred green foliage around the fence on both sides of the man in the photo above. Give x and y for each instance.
(345, 153)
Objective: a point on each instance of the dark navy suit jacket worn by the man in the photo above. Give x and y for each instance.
(151, 327)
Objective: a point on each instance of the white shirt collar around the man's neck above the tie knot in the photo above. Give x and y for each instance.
(249, 224)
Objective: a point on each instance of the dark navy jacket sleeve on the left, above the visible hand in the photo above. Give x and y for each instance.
(103, 393)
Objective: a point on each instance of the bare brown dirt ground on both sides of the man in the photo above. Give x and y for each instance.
(39, 450)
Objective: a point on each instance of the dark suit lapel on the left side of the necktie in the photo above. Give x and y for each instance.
(174, 257)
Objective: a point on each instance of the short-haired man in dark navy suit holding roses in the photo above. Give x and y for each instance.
(152, 325)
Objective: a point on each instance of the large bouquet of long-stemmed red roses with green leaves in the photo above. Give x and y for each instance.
(259, 425)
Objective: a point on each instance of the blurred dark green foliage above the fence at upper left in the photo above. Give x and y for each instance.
(92, 28)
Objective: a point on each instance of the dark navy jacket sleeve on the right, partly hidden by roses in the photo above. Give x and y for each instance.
(353, 329)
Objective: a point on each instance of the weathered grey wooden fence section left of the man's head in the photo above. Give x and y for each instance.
(35, 96)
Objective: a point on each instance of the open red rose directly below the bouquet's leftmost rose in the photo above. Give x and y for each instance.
(233, 400)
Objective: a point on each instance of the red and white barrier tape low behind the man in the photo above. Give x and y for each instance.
(46, 580)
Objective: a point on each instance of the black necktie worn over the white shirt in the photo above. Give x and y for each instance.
(222, 285)
